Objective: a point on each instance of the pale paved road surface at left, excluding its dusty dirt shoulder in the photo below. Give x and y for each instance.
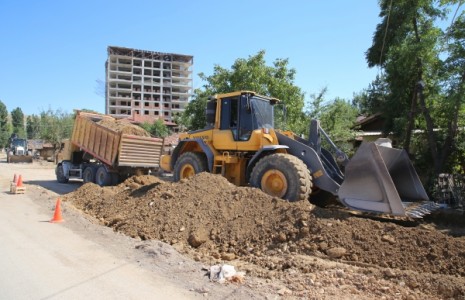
(43, 260)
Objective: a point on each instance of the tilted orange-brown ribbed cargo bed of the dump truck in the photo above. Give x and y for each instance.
(112, 147)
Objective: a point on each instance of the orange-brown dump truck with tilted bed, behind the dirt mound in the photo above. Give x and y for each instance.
(101, 152)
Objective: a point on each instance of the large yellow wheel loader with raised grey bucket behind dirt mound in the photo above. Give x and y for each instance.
(241, 143)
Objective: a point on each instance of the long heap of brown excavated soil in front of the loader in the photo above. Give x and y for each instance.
(292, 249)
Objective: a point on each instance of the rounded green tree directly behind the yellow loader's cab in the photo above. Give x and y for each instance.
(254, 75)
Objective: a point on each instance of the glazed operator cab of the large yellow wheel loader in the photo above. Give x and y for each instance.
(242, 113)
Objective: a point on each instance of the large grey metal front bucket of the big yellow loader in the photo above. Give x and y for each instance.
(379, 179)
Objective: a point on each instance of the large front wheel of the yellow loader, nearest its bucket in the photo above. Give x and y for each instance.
(282, 175)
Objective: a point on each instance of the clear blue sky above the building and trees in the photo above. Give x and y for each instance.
(53, 52)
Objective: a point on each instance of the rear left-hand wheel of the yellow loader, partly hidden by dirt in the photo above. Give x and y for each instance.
(189, 164)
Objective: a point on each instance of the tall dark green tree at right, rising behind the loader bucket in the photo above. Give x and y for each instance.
(424, 74)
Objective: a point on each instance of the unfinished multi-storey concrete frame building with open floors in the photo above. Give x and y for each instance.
(146, 85)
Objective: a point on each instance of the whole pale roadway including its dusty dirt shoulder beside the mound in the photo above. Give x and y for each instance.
(77, 259)
